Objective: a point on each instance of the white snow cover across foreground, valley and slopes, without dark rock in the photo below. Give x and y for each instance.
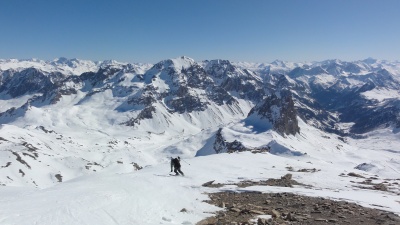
(82, 139)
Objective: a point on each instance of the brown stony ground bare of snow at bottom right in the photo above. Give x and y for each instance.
(288, 208)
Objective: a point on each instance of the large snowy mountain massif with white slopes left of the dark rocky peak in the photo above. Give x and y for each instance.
(116, 117)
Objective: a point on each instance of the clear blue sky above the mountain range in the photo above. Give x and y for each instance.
(246, 30)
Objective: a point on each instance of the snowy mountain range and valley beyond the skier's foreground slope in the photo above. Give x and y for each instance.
(69, 118)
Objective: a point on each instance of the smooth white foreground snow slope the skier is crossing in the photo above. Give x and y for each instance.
(151, 196)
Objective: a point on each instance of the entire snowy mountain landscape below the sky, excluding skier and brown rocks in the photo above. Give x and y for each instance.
(102, 134)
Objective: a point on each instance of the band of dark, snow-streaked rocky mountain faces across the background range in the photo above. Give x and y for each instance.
(273, 91)
